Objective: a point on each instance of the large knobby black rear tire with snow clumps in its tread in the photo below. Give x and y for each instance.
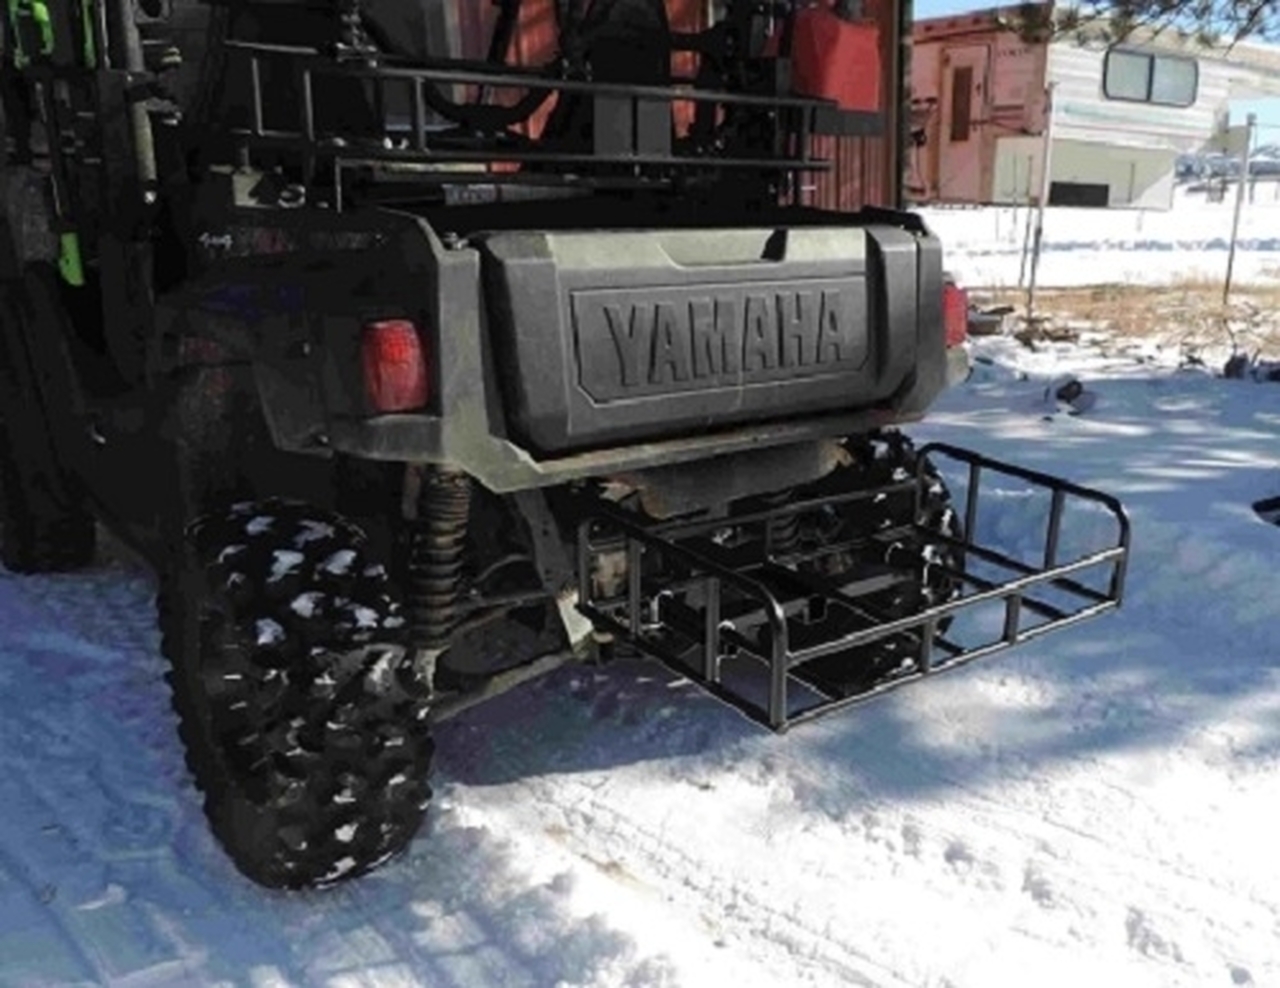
(304, 722)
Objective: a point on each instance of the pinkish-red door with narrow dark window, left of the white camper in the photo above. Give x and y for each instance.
(961, 143)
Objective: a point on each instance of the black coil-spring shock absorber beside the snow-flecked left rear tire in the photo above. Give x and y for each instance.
(437, 555)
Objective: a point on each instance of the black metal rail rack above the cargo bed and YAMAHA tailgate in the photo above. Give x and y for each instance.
(633, 147)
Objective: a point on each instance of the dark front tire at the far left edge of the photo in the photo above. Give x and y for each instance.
(44, 527)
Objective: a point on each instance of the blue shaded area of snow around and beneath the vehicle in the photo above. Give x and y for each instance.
(112, 872)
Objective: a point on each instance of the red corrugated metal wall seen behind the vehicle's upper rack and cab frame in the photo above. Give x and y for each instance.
(865, 167)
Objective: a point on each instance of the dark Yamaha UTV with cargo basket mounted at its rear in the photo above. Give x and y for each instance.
(424, 346)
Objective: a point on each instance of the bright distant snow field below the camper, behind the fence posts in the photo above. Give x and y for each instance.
(1085, 246)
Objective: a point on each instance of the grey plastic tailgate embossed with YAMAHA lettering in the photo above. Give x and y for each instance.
(624, 336)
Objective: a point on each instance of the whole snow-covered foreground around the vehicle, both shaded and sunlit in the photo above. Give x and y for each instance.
(1094, 808)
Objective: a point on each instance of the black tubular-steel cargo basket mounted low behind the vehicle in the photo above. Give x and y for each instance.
(744, 624)
